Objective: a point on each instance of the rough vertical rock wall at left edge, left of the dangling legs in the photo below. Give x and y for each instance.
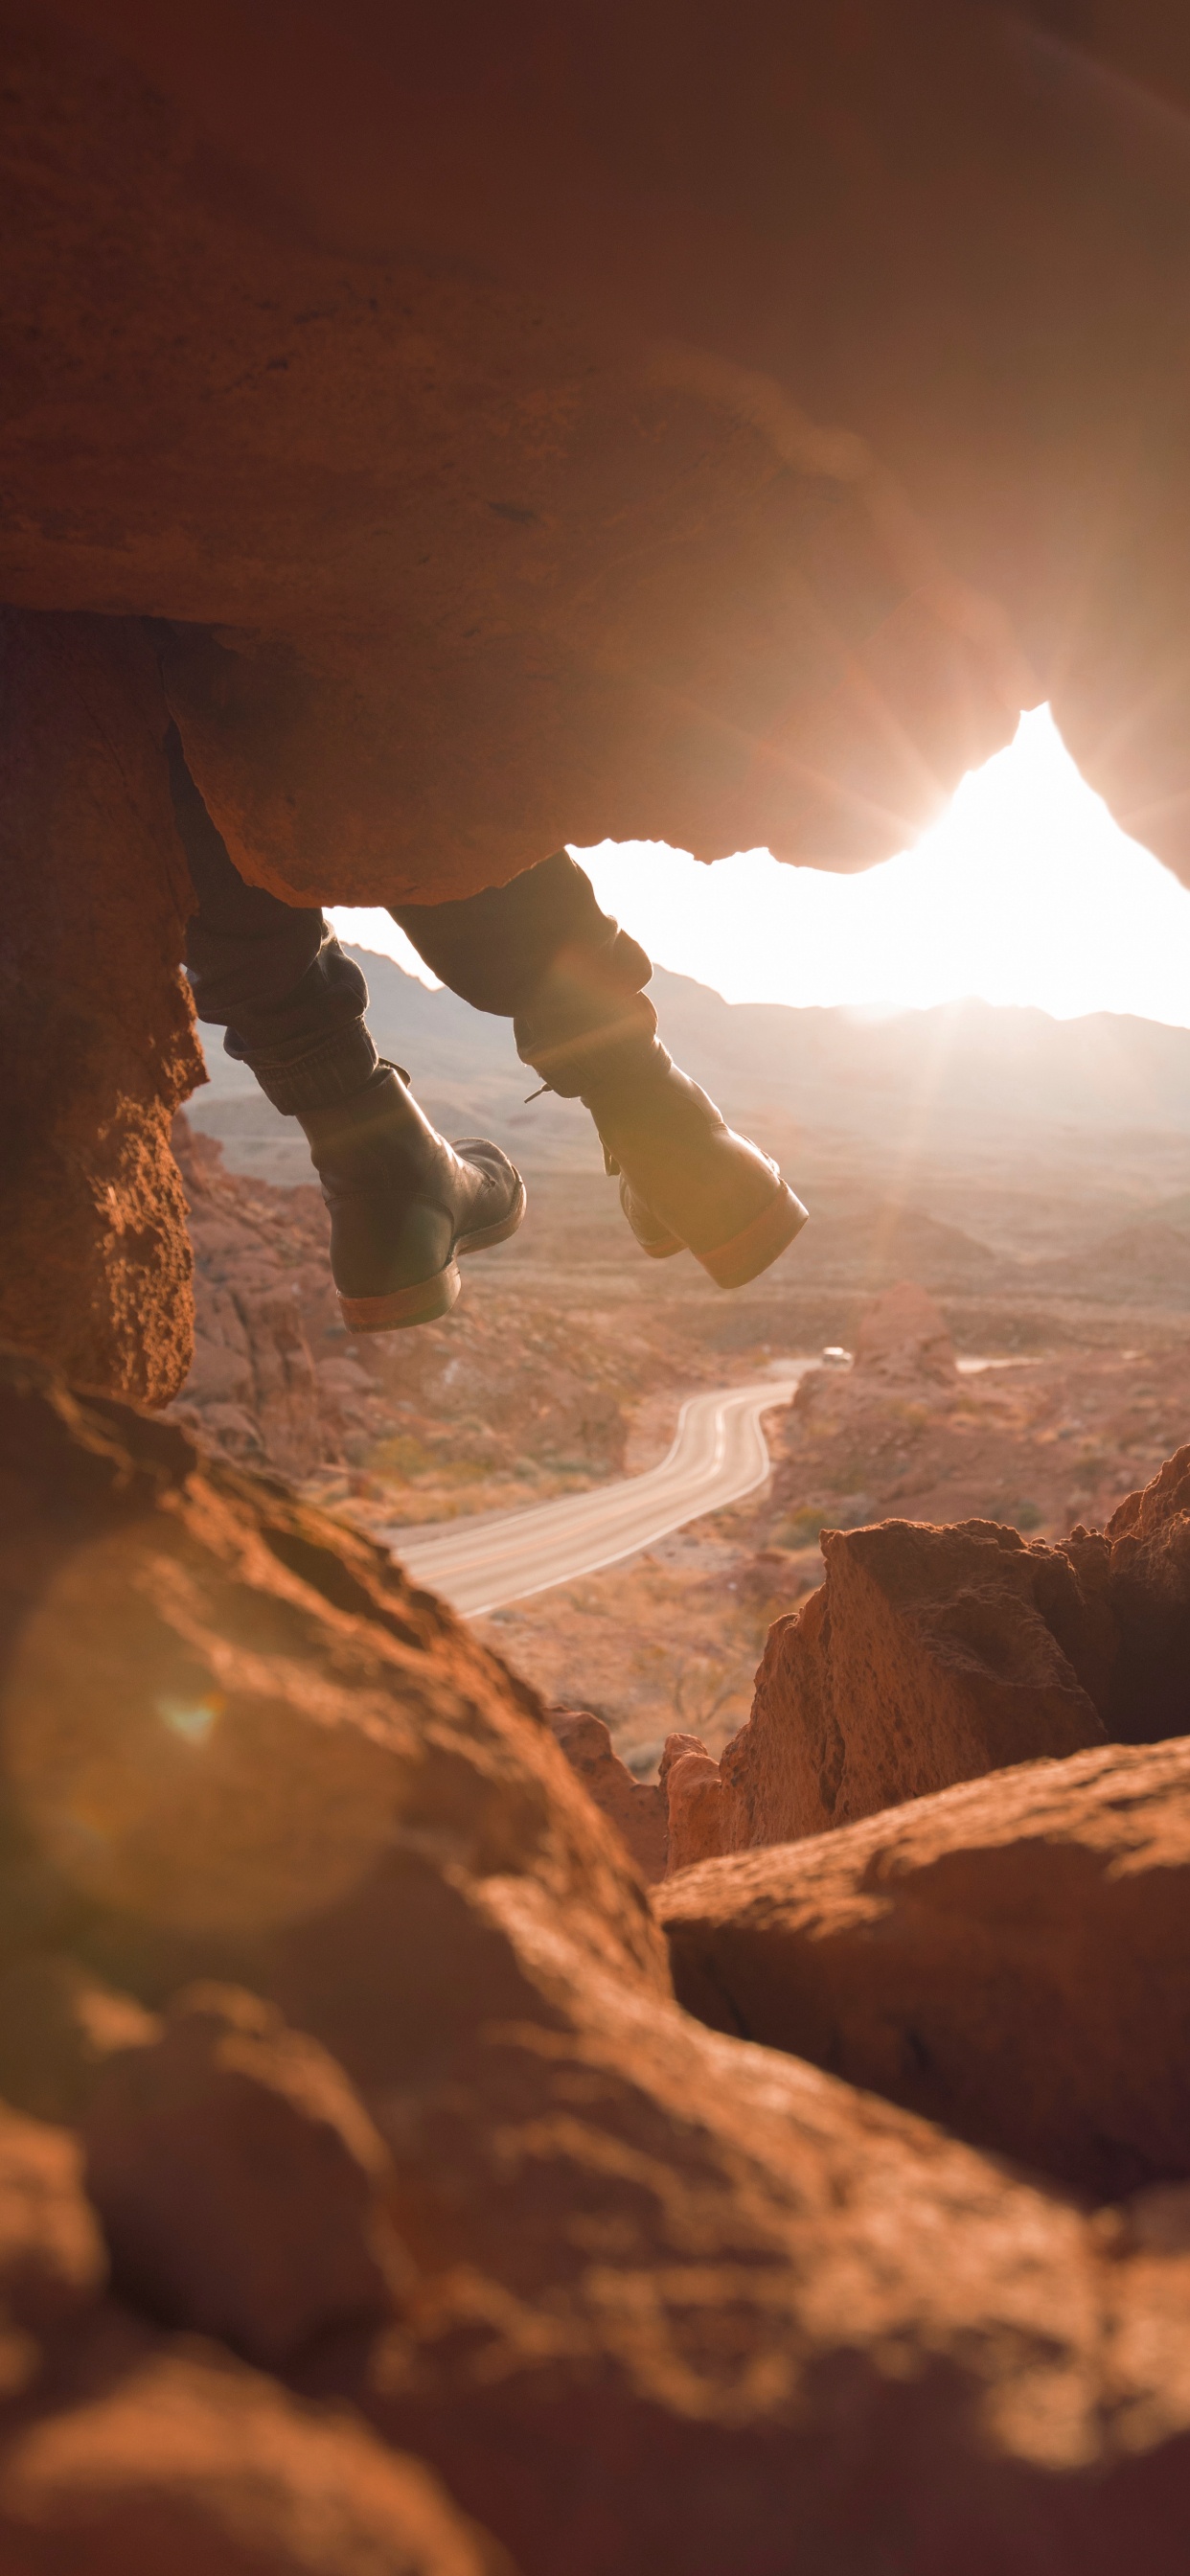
(97, 1029)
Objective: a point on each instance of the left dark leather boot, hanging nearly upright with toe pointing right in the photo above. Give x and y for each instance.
(406, 1204)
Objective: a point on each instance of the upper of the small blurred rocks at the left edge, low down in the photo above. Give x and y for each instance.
(58, 2029)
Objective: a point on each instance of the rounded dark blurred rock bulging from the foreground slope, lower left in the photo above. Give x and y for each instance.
(241, 2181)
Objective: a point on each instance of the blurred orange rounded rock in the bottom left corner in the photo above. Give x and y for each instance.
(192, 2464)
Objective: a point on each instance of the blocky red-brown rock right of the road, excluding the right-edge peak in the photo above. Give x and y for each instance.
(926, 1658)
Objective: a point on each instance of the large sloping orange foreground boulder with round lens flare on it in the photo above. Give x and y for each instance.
(658, 2271)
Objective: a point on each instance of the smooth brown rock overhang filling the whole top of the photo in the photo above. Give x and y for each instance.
(697, 424)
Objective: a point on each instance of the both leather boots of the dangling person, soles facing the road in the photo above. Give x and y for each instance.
(406, 1204)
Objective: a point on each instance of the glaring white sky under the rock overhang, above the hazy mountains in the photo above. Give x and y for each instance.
(1024, 893)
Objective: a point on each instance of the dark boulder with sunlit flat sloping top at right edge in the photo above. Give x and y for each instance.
(1006, 1959)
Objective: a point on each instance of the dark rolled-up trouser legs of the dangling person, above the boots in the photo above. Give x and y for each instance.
(292, 1001)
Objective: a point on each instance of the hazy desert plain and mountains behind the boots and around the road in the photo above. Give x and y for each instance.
(1032, 1202)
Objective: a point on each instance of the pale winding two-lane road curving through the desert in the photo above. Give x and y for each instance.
(504, 1557)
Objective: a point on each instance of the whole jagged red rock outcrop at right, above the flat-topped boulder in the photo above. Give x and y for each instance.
(934, 1655)
